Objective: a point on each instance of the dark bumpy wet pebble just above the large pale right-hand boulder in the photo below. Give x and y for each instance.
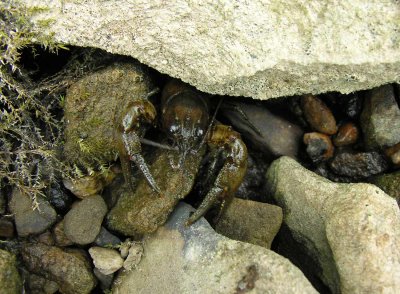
(358, 165)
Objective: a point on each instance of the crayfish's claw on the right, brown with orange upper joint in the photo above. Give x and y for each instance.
(232, 172)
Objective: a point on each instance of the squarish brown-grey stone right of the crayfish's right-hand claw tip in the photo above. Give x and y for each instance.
(250, 221)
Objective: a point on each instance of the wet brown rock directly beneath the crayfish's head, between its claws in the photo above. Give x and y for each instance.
(143, 211)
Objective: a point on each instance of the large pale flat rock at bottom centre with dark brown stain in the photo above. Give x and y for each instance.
(195, 259)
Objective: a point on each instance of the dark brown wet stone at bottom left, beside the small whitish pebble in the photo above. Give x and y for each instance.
(71, 269)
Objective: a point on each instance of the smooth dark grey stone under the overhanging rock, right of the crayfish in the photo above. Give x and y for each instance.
(266, 131)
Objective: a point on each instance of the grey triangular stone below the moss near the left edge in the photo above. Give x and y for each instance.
(31, 220)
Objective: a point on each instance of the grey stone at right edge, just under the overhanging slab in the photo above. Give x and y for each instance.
(380, 118)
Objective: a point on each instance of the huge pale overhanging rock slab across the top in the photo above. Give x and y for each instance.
(259, 49)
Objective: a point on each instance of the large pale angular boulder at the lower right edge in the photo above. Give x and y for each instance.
(352, 230)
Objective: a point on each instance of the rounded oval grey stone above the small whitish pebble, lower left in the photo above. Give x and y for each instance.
(83, 222)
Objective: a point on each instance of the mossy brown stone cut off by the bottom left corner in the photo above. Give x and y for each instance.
(10, 281)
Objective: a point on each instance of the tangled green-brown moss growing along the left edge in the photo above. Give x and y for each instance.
(30, 131)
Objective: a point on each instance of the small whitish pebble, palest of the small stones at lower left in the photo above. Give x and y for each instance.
(106, 260)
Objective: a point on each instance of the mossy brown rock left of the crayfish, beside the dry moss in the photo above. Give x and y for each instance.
(94, 107)
